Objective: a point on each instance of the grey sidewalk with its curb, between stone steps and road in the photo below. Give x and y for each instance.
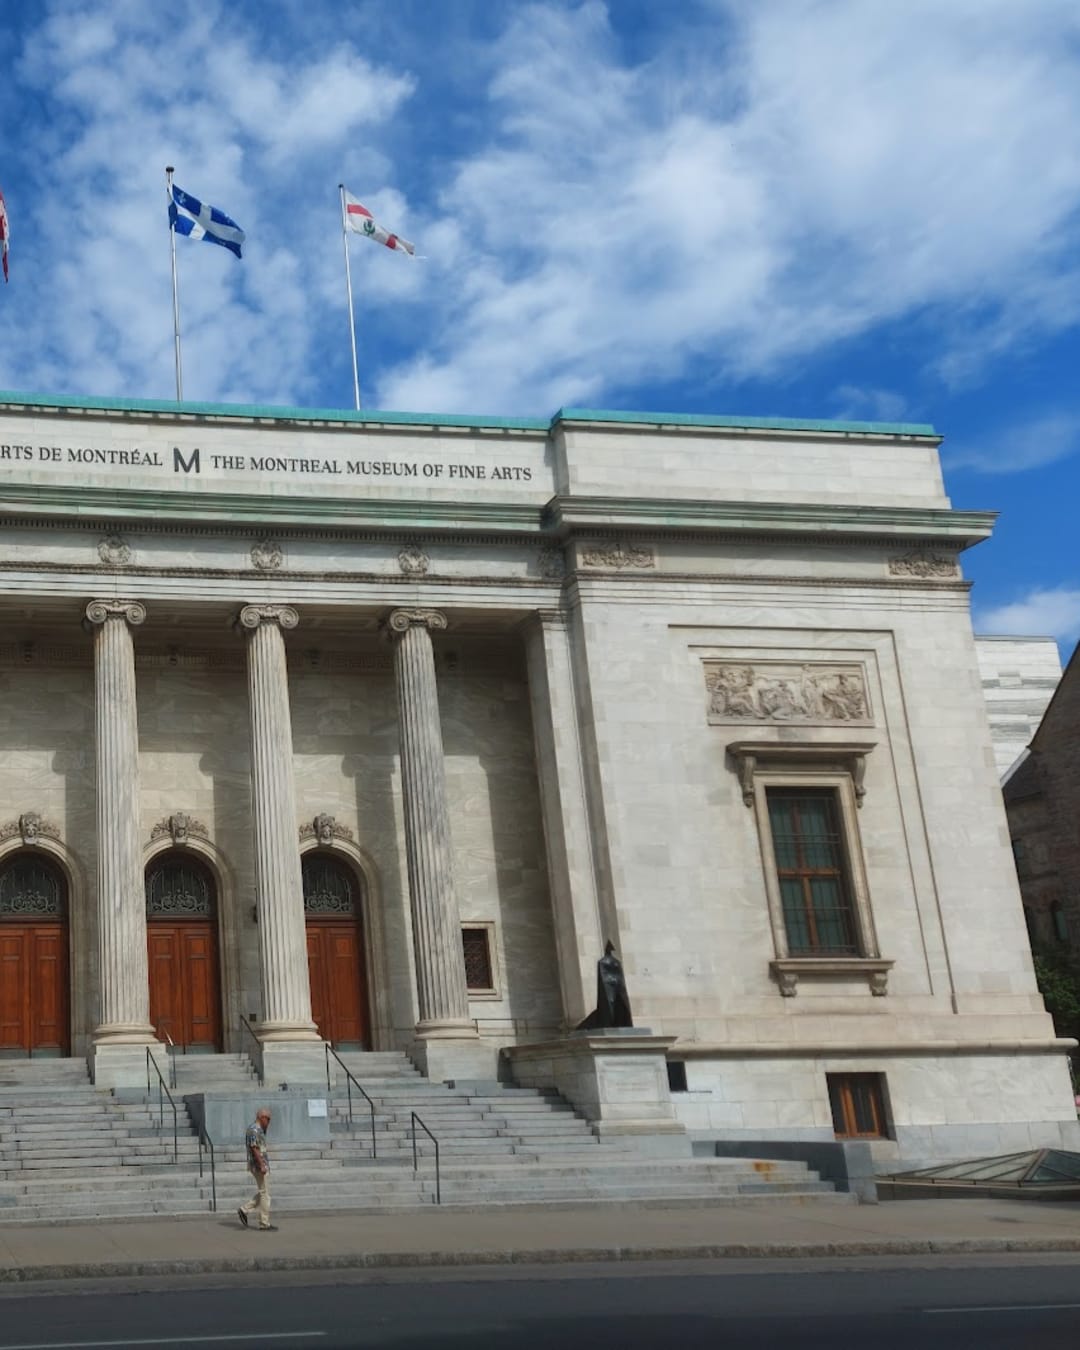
(161, 1247)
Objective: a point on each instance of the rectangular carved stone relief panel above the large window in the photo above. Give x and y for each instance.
(793, 693)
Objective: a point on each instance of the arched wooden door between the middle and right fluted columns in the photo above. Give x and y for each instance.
(335, 951)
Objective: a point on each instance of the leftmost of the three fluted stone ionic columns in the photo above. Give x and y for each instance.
(121, 889)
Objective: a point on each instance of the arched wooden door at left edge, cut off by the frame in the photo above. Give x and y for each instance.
(34, 977)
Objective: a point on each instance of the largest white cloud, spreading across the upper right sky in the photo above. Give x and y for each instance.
(813, 171)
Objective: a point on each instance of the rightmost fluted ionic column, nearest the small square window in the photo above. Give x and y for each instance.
(437, 925)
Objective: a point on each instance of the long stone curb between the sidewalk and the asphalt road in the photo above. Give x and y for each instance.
(534, 1256)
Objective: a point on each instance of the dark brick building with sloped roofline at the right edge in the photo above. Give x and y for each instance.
(1043, 801)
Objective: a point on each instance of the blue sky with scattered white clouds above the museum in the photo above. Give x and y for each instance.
(807, 209)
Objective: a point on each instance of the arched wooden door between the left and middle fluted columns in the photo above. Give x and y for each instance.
(182, 938)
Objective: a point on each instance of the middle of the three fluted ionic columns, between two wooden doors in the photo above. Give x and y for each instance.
(287, 1001)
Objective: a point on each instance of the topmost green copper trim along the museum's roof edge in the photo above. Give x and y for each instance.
(268, 412)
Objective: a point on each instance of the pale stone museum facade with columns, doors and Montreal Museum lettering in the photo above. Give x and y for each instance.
(322, 727)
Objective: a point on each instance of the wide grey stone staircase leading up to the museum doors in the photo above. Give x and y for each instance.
(70, 1151)
